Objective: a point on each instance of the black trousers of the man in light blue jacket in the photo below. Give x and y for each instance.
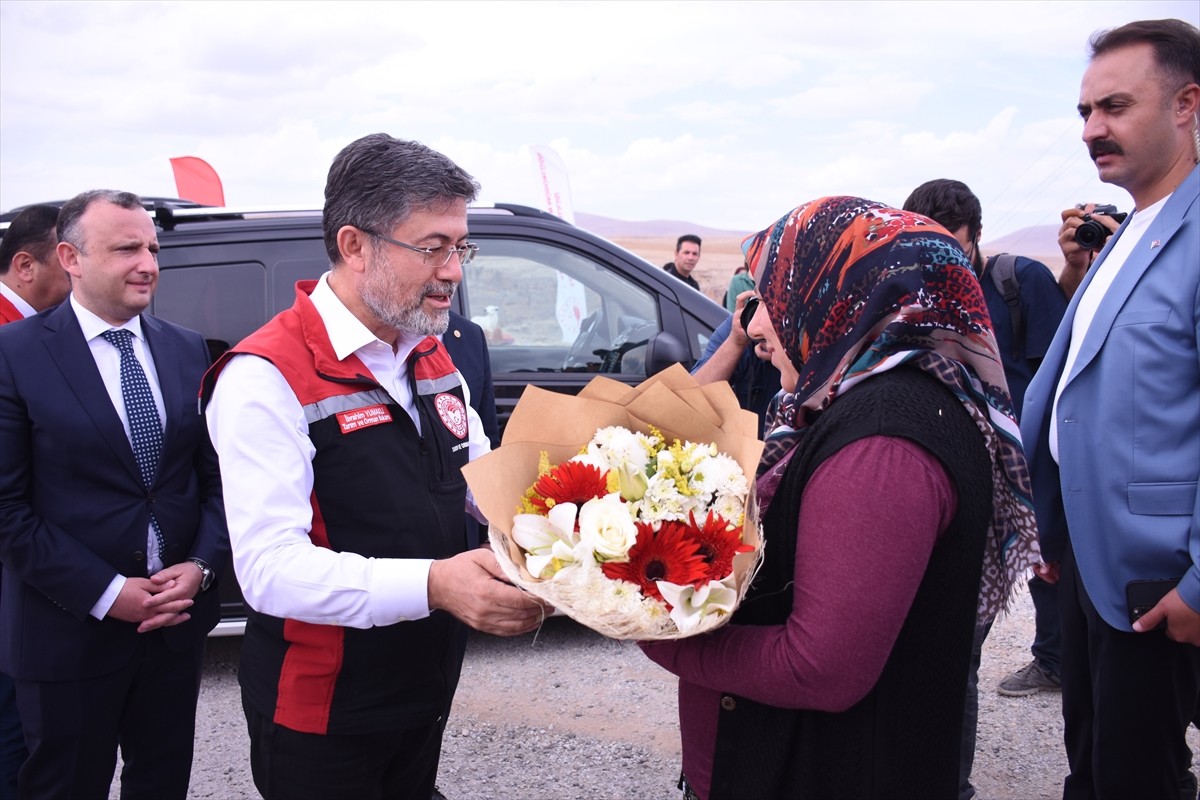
(1127, 700)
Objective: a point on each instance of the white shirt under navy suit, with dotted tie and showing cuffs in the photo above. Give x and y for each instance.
(109, 362)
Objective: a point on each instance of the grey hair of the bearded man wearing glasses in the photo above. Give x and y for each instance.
(377, 182)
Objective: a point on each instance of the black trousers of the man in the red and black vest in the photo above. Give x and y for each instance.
(385, 766)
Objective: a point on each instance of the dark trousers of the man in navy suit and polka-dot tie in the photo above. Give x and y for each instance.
(148, 709)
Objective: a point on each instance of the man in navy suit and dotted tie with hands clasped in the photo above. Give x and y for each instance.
(110, 540)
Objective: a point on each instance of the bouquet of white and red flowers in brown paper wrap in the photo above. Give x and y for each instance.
(634, 509)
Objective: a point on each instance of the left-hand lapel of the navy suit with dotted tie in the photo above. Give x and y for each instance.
(70, 353)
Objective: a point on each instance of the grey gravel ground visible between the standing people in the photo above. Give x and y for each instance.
(567, 714)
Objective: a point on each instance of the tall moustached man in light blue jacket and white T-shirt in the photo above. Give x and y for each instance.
(1112, 428)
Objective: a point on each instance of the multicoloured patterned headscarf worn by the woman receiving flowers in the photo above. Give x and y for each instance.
(855, 288)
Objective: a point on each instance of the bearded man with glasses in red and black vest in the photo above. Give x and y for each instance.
(343, 428)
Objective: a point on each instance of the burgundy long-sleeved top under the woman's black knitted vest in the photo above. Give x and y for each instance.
(871, 518)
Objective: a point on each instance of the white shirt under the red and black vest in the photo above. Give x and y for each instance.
(261, 435)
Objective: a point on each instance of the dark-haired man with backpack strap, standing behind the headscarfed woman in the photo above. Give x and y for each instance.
(1023, 335)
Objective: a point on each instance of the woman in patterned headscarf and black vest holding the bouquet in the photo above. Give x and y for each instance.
(897, 508)
